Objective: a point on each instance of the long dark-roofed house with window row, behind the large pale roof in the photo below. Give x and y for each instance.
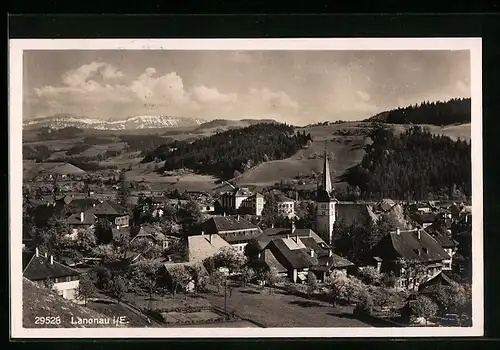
(233, 229)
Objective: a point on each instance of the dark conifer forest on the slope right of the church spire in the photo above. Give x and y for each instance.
(413, 165)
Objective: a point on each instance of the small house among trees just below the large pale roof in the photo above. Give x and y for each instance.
(192, 269)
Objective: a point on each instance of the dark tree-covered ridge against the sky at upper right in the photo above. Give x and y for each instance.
(454, 111)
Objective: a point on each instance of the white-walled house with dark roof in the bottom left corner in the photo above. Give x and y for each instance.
(44, 270)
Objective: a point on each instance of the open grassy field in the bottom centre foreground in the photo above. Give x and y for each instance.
(283, 310)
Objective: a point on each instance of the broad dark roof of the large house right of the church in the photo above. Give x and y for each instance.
(407, 245)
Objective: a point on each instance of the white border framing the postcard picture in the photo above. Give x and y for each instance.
(15, 164)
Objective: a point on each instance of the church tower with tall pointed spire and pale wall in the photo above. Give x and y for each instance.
(325, 203)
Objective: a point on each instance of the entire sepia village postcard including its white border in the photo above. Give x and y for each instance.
(246, 188)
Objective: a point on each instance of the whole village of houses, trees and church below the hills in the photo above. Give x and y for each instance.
(246, 257)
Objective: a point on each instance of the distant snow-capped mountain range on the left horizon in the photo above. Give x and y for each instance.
(129, 123)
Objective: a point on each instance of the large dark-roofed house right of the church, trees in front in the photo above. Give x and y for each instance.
(415, 246)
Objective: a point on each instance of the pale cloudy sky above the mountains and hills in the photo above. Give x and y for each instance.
(298, 87)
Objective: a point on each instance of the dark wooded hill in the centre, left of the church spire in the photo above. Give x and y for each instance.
(228, 153)
